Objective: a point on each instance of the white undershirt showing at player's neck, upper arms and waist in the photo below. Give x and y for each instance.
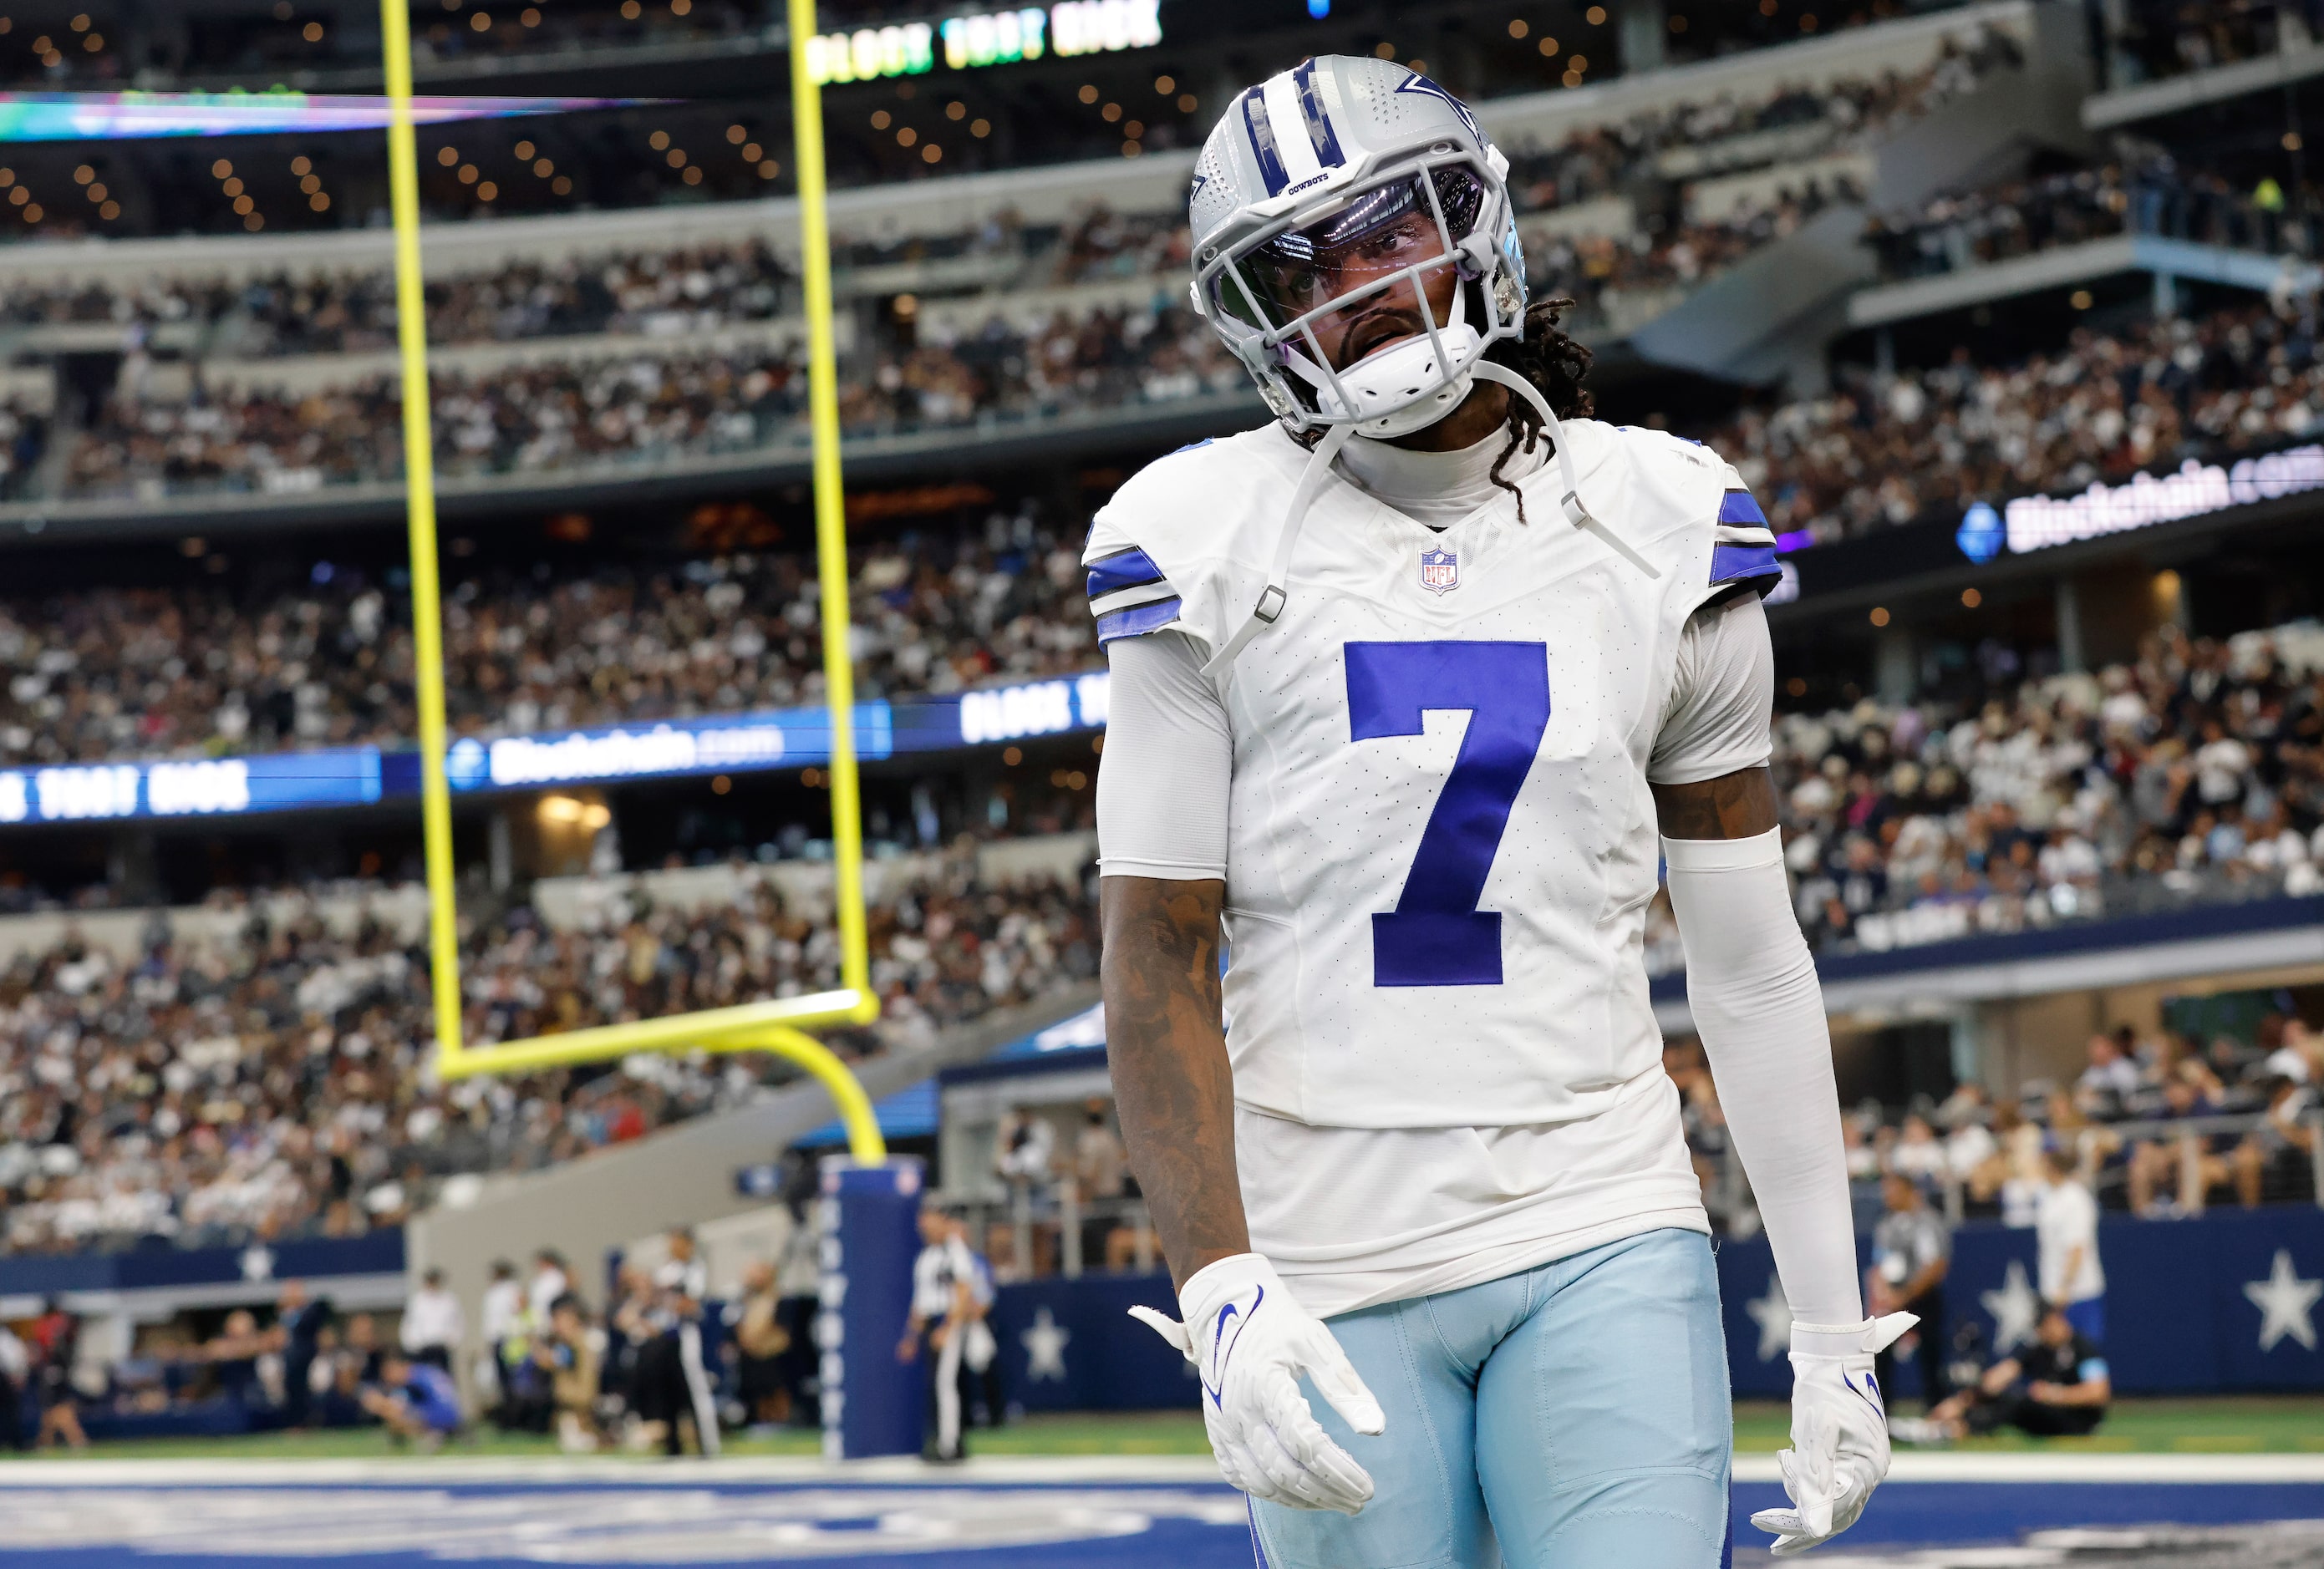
(1354, 1217)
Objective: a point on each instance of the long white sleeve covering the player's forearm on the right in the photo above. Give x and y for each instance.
(1763, 1022)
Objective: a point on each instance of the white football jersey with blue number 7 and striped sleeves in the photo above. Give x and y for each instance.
(1440, 836)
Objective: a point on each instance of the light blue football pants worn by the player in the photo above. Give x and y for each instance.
(1572, 1417)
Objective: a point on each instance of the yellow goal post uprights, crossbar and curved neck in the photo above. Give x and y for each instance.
(777, 1026)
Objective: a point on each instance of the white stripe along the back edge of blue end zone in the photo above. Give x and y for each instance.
(1024, 1470)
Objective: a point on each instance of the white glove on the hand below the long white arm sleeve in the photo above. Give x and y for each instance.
(1839, 1431)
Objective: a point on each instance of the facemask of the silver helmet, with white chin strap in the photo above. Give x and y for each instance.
(1349, 275)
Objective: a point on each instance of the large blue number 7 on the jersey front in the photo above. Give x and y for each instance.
(1437, 936)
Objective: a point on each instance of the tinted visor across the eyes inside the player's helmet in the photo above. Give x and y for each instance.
(1375, 236)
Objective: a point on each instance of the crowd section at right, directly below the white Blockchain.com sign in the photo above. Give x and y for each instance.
(2193, 775)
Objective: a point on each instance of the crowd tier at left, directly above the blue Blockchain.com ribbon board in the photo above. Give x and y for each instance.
(108, 673)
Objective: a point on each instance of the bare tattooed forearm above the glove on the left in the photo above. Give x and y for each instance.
(1168, 1052)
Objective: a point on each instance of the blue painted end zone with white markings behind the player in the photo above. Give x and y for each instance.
(847, 1524)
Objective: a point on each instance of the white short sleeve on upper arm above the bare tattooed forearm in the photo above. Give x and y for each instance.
(1170, 757)
